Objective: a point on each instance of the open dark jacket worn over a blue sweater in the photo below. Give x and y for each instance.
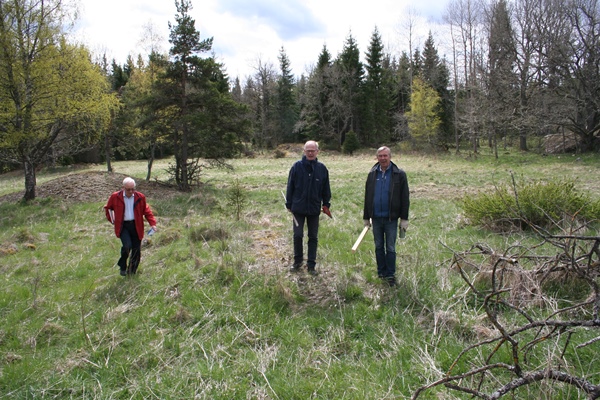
(399, 201)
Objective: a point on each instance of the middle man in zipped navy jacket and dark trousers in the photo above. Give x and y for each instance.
(308, 194)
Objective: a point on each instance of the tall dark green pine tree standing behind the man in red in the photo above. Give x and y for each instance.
(194, 100)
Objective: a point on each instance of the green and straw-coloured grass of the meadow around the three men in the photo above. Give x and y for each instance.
(214, 312)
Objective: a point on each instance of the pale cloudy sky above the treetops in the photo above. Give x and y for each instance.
(248, 32)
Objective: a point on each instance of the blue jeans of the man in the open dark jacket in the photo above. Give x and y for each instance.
(384, 234)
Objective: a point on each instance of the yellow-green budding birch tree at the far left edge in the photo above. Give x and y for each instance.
(54, 100)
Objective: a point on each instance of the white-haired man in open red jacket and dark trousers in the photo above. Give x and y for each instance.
(126, 210)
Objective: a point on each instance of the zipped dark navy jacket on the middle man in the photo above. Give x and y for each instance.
(308, 187)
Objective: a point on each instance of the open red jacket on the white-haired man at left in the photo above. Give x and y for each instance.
(140, 210)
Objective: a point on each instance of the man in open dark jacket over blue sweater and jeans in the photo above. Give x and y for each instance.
(386, 202)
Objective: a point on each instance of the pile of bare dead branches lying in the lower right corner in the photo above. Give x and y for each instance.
(537, 336)
